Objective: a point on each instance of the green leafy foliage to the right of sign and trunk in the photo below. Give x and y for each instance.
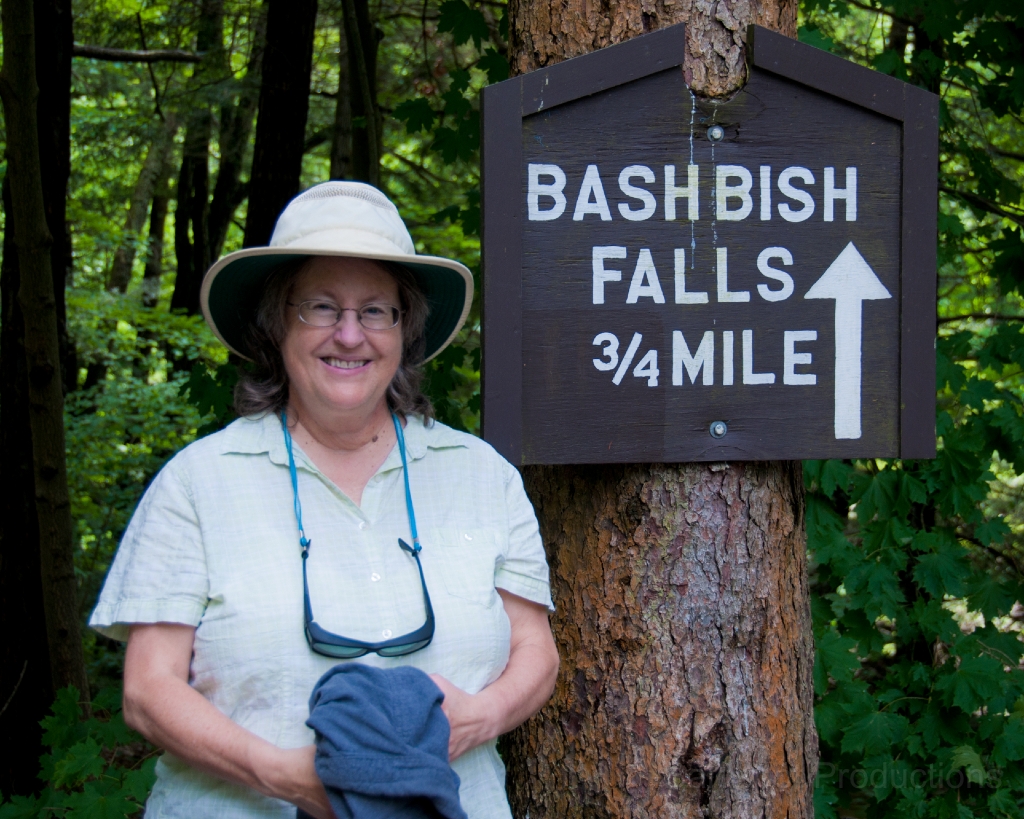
(916, 567)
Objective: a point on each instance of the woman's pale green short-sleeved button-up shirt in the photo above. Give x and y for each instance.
(214, 544)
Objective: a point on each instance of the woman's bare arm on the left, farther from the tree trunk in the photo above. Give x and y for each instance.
(161, 706)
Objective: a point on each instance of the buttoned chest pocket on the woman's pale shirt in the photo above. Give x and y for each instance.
(467, 559)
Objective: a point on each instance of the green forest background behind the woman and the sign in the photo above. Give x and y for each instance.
(918, 568)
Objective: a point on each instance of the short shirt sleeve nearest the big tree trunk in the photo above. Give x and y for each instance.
(525, 570)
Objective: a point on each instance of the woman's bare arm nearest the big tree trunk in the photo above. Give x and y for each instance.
(521, 693)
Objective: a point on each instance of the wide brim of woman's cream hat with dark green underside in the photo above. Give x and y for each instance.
(233, 288)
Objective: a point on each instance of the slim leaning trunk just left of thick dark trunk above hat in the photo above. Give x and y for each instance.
(236, 128)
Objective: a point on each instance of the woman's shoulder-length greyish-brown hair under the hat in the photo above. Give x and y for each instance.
(264, 386)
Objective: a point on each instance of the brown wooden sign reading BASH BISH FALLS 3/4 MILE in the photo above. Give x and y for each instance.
(672, 280)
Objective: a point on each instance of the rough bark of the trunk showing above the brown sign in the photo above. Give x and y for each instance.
(544, 32)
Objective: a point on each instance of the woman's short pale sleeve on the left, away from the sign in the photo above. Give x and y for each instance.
(159, 574)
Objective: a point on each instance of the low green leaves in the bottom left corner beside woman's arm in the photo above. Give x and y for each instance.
(96, 768)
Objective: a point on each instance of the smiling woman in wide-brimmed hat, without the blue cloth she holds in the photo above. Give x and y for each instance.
(263, 554)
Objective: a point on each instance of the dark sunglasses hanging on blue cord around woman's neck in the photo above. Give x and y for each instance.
(333, 645)
